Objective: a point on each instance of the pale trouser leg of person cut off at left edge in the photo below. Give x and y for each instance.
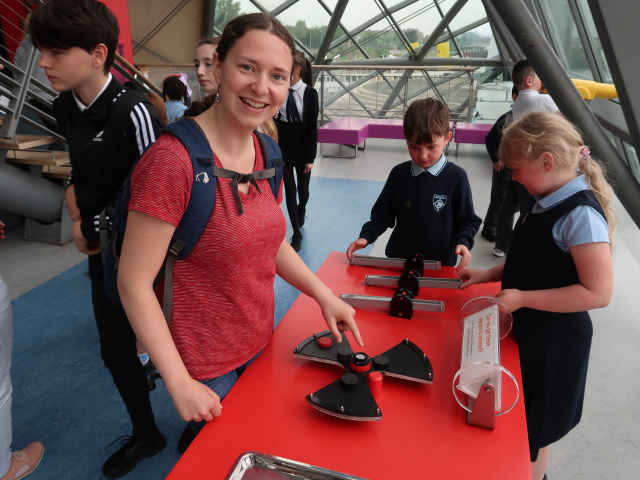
(6, 344)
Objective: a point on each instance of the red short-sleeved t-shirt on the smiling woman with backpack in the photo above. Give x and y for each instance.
(223, 300)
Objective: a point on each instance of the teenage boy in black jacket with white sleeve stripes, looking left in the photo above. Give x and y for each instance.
(107, 127)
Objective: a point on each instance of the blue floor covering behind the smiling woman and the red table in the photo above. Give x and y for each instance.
(63, 395)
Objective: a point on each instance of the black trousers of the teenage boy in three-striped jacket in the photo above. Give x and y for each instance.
(118, 351)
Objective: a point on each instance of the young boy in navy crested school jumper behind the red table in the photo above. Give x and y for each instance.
(427, 200)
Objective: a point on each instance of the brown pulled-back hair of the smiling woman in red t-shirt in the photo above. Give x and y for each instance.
(237, 27)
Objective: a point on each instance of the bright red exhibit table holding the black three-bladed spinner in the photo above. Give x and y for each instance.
(423, 431)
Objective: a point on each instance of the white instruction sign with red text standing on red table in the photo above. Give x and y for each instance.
(481, 353)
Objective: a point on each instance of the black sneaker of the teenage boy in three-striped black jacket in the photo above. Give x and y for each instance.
(132, 451)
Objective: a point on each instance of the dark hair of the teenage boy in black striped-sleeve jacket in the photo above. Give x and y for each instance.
(64, 24)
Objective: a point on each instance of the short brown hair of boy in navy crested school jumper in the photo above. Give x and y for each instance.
(425, 119)
